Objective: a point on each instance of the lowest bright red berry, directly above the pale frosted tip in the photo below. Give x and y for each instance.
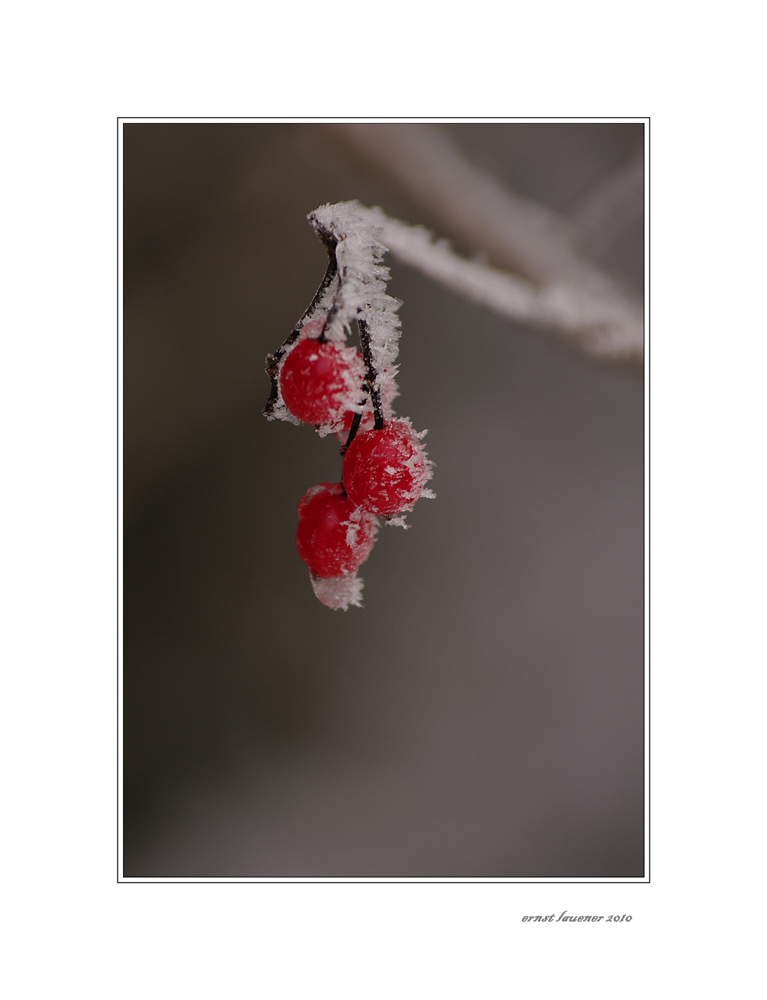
(334, 537)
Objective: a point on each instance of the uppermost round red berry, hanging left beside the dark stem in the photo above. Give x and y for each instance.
(320, 380)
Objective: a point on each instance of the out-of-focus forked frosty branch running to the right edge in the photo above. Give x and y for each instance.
(560, 291)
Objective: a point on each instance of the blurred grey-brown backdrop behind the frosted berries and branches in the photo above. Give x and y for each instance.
(482, 715)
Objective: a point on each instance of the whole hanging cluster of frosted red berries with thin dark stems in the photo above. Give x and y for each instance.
(337, 389)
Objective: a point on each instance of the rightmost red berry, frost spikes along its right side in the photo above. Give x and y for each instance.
(385, 471)
